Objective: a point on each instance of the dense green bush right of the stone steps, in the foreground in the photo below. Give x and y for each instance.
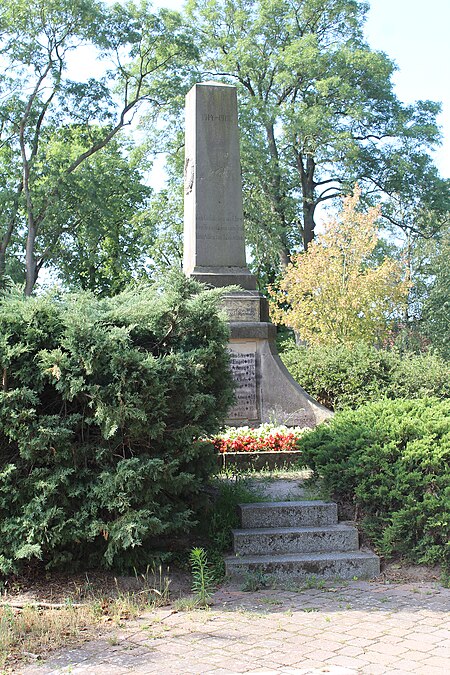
(391, 459)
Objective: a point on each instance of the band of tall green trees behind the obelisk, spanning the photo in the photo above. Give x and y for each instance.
(318, 114)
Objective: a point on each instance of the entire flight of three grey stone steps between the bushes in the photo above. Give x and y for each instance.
(298, 539)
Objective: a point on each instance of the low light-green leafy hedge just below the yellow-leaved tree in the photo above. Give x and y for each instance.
(342, 377)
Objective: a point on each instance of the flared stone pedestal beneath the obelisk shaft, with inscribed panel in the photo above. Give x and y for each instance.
(265, 390)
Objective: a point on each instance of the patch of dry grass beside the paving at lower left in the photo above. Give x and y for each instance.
(29, 630)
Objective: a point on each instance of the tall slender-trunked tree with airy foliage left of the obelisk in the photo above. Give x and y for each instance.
(146, 53)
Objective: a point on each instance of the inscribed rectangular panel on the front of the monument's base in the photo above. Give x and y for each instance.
(243, 368)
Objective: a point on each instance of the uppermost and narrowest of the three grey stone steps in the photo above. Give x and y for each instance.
(288, 514)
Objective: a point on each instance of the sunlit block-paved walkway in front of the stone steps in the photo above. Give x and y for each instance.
(360, 627)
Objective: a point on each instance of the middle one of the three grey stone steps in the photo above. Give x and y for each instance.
(260, 541)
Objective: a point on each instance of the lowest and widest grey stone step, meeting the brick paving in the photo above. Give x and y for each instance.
(328, 565)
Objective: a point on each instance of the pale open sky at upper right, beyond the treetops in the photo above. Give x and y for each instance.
(415, 35)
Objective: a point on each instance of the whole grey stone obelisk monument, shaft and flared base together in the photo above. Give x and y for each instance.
(214, 253)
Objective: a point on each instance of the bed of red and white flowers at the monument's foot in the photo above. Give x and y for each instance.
(265, 438)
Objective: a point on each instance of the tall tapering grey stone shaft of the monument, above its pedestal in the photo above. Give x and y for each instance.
(214, 250)
